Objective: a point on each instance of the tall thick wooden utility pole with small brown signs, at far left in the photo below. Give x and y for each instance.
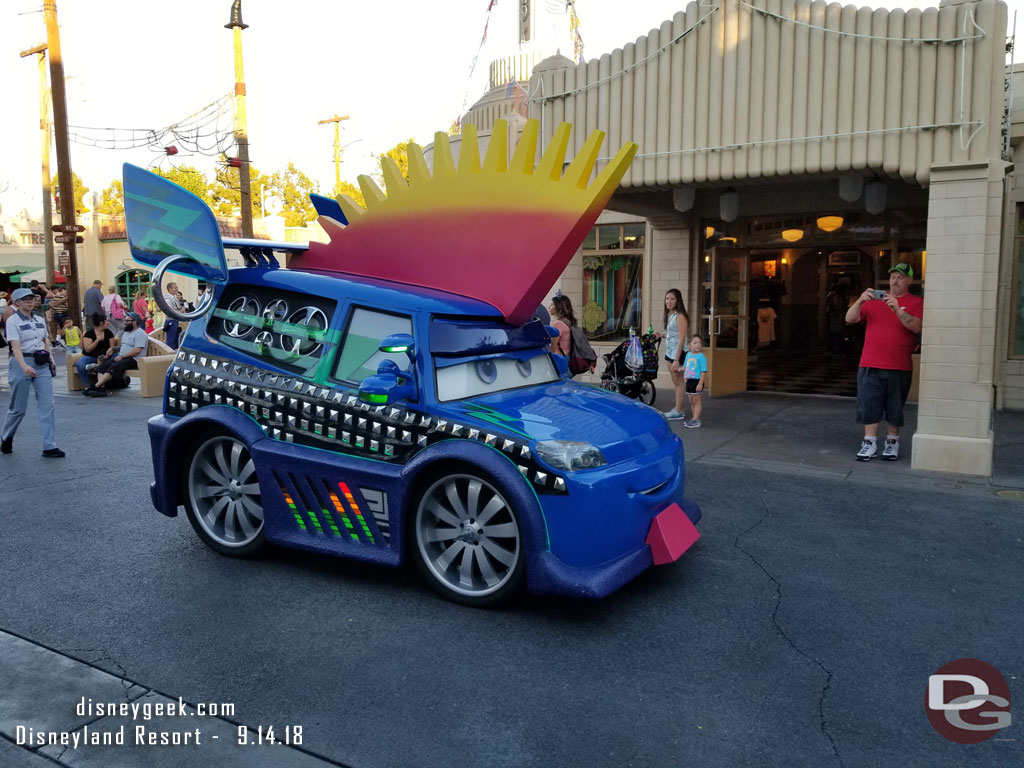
(65, 181)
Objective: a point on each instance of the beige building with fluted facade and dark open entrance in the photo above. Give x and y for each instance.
(791, 152)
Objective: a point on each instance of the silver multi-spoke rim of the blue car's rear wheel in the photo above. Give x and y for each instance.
(225, 493)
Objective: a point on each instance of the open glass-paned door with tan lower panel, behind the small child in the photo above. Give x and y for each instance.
(726, 282)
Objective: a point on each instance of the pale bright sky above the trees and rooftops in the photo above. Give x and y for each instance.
(400, 69)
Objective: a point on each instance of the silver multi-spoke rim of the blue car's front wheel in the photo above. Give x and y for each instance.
(468, 536)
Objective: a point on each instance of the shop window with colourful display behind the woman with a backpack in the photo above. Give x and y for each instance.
(612, 273)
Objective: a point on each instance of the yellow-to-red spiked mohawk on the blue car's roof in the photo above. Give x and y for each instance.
(500, 231)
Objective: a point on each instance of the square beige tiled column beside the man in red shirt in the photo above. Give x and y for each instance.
(955, 416)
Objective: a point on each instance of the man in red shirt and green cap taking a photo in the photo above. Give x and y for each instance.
(892, 325)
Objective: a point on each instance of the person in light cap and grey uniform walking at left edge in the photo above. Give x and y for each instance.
(31, 367)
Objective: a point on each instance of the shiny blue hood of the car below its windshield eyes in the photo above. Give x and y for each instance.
(622, 429)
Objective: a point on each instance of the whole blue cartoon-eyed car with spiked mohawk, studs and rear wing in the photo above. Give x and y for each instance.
(389, 396)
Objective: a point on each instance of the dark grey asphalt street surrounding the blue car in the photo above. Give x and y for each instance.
(801, 630)
